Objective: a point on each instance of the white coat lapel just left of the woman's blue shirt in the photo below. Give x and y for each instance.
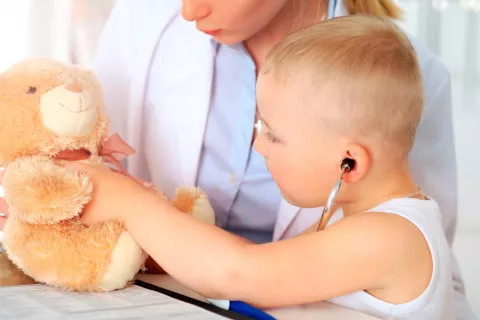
(184, 96)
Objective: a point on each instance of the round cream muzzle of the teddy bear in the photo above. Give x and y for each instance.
(68, 111)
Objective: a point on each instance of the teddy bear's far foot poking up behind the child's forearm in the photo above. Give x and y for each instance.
(195, 202)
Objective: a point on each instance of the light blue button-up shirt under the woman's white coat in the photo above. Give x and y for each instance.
(231, 172)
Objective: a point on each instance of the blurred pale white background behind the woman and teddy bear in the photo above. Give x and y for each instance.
(68, 30)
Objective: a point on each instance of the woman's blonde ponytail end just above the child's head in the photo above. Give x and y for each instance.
(379, 8)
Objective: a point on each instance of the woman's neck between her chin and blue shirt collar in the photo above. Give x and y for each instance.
(294, 15)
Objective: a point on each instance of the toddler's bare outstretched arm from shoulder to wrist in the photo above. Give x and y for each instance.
(367, 251)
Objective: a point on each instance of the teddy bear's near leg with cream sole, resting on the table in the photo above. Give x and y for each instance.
(101, 257)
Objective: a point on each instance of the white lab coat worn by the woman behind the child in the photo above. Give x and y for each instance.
(136, 30)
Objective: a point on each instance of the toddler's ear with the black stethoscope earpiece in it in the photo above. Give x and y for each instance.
(362, 163)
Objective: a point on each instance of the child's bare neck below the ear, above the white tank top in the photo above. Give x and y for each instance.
(374, 191)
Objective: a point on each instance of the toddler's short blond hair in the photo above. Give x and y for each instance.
(367, 67)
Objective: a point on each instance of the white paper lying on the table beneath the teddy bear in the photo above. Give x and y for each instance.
(41, 302)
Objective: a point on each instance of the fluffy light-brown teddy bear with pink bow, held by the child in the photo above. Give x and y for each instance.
(52, 113)
